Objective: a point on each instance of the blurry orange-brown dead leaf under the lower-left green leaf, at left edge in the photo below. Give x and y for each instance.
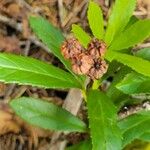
(10, 123)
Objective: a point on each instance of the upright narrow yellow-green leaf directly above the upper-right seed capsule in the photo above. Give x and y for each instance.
(95, 18)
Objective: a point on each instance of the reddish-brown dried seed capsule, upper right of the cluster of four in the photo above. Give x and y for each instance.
(96, 48)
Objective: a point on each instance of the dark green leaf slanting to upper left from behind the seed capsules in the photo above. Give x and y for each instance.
(51, 37)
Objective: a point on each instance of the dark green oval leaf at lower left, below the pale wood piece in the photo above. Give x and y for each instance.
(46, 115)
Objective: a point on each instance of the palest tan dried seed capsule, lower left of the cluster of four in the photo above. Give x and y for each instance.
(82, 64)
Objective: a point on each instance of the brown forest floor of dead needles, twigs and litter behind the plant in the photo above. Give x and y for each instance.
(16, 37)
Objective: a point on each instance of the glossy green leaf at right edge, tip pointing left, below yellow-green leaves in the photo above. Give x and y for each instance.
(134, 83)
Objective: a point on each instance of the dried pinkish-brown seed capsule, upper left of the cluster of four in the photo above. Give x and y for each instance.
(71, 48)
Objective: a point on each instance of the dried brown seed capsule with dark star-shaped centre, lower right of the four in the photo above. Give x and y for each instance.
(98, 69)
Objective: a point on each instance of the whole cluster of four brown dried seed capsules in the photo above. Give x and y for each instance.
(88, 61)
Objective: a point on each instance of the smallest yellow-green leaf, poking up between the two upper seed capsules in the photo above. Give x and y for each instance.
(81, 35)
